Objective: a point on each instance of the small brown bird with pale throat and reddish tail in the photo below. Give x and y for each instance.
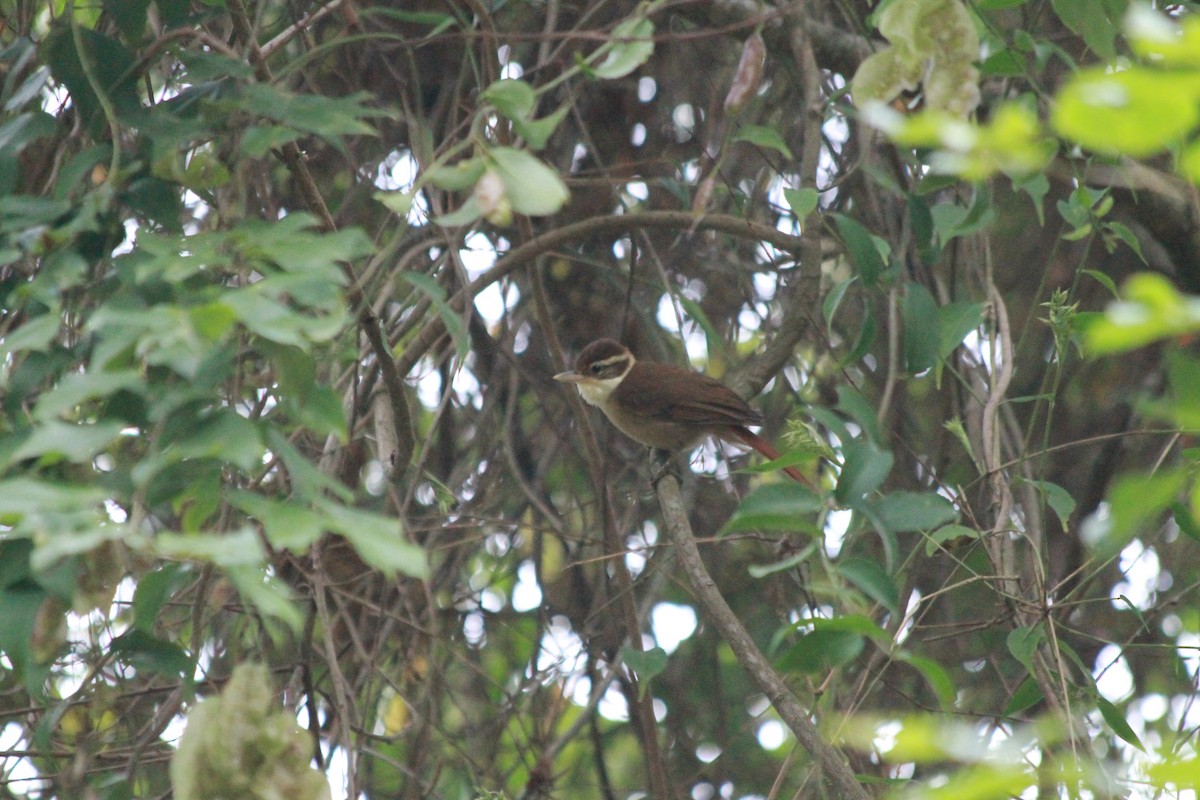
(662, 406)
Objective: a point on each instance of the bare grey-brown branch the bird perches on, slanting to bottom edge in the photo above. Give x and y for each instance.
(832, 761)
